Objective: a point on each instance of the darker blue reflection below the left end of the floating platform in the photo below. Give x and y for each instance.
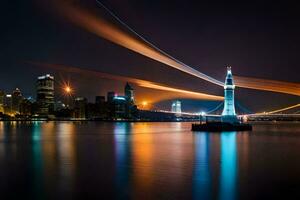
(202, 173)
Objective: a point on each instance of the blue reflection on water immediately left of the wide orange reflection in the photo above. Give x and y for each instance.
(122, 155)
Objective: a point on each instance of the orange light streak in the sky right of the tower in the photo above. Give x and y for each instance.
(268, 85)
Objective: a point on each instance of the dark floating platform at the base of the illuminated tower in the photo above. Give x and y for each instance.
(221, 126)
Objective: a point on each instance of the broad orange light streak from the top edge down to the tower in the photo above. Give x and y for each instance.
(94, 24)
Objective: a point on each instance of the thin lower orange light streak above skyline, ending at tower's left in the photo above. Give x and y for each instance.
(139, 82)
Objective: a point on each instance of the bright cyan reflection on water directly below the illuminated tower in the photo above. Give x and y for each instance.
(228, 171)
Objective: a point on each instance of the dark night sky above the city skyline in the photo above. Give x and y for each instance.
(257, 38)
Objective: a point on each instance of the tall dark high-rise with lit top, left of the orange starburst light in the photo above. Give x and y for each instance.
(45, 94)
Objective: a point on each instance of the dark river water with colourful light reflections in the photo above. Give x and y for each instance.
(84, 160)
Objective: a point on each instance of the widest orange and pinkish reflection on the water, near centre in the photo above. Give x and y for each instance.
(156, 161)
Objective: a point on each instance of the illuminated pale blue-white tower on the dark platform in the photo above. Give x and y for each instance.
(228, 114)
